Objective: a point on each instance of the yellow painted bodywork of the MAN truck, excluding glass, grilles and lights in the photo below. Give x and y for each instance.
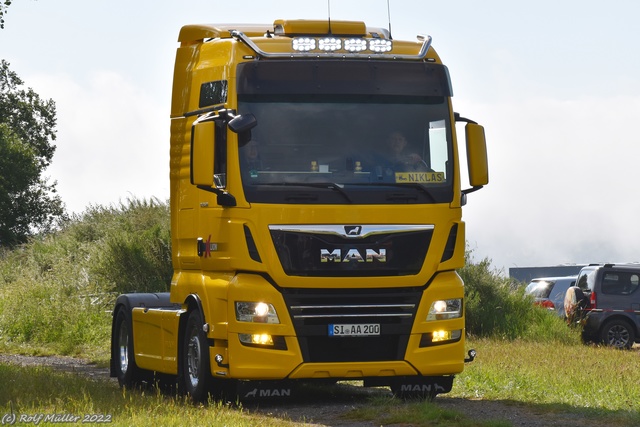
(195, 214)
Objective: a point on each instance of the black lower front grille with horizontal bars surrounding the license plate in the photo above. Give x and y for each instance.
(313, 311)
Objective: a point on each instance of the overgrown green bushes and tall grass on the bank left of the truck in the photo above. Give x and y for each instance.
(57, 291)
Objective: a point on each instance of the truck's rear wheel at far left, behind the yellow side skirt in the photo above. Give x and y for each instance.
(126, 369)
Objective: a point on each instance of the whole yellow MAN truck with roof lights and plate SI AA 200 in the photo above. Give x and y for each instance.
(315, 216)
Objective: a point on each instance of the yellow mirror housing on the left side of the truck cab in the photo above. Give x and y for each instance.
(202, 153)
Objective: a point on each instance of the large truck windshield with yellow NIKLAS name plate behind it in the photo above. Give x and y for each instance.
(339, 144)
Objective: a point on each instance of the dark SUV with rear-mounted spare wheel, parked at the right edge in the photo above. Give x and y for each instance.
(606, 302)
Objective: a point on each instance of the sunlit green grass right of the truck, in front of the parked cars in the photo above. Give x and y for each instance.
(556, 376)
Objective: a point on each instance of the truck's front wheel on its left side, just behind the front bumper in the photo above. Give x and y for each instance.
(196, 365)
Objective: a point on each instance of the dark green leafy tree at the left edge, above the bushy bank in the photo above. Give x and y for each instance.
(28, 202)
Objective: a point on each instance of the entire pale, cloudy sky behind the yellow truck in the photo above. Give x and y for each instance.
(556, 84)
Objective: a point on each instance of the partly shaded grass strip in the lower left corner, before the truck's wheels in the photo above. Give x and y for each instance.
(40, 390)
